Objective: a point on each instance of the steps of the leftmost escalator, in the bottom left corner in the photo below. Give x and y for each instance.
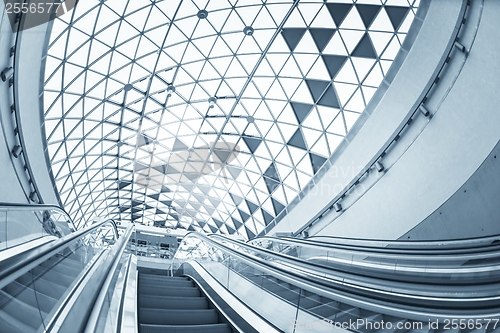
(32, 296)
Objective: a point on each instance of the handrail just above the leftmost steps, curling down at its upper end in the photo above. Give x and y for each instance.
(17, 265)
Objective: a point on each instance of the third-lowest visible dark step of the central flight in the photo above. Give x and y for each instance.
(167, 302)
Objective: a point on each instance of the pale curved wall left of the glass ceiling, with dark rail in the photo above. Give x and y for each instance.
(28, 84)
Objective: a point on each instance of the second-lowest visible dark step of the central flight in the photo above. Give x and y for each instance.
(178, 317)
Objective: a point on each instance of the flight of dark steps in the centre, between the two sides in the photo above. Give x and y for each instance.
(174, 304)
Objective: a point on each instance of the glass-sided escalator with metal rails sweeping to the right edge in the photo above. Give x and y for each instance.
(437, 290)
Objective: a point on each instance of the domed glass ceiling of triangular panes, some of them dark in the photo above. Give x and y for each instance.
(208, 115)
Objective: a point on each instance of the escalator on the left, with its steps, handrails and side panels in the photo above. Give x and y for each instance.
(49, 271)
